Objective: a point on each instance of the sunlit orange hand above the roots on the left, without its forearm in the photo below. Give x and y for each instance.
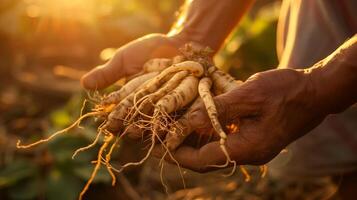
(130, 58)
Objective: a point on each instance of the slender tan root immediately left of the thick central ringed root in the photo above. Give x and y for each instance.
(154, 97)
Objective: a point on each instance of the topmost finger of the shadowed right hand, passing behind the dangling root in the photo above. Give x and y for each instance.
(230, 106)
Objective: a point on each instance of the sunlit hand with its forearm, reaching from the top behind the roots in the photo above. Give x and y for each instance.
(201, 27)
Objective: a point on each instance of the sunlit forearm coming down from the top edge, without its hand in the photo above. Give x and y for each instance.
(209, 22)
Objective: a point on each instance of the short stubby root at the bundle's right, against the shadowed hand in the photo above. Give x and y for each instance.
(223, 82)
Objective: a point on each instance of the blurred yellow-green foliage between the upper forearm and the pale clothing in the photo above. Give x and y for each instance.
(251, 47)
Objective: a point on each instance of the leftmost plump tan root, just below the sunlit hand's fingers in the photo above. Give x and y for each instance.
(116, 96)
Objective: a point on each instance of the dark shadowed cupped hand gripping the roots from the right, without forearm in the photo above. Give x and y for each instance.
(274, 108)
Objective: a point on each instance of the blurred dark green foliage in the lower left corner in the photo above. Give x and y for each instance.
(49, 170)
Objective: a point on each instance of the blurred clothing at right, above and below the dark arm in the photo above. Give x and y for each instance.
(308, 31)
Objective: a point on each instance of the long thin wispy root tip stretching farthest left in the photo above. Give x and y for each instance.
(19, 146)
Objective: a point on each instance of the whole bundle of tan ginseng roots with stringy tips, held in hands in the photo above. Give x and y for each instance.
(157, 102)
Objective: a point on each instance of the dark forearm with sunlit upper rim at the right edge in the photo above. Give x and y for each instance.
(335, 78)
